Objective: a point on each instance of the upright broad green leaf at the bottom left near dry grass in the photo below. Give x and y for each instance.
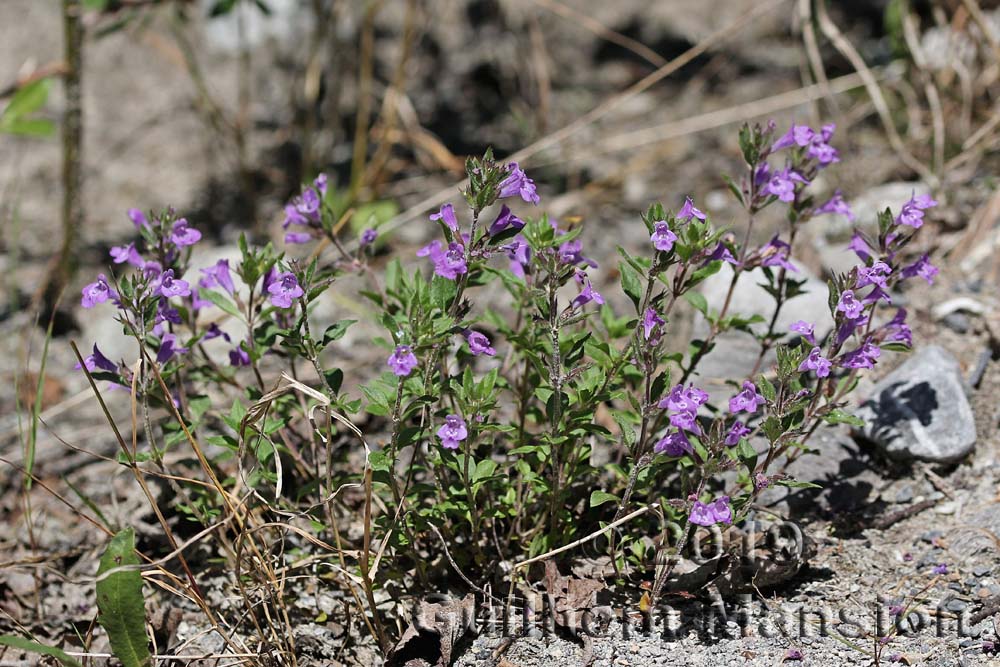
(122, 610)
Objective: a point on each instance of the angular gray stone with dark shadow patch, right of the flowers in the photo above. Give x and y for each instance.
(919, 411)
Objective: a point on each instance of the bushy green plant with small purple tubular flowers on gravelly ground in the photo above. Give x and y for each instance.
(506, 372)
